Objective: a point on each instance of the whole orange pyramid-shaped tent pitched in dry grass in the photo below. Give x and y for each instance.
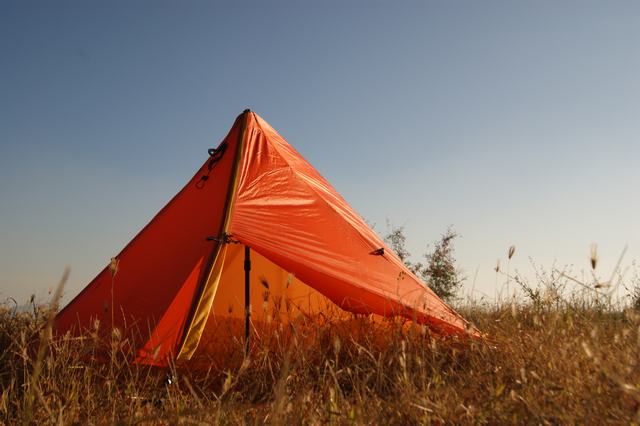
(255, 208)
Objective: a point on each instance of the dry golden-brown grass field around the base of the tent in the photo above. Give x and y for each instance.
(544, 361)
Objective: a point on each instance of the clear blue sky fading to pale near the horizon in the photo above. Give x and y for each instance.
(518, 122)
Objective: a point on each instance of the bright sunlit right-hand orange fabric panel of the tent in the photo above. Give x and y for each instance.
(288, 212)
